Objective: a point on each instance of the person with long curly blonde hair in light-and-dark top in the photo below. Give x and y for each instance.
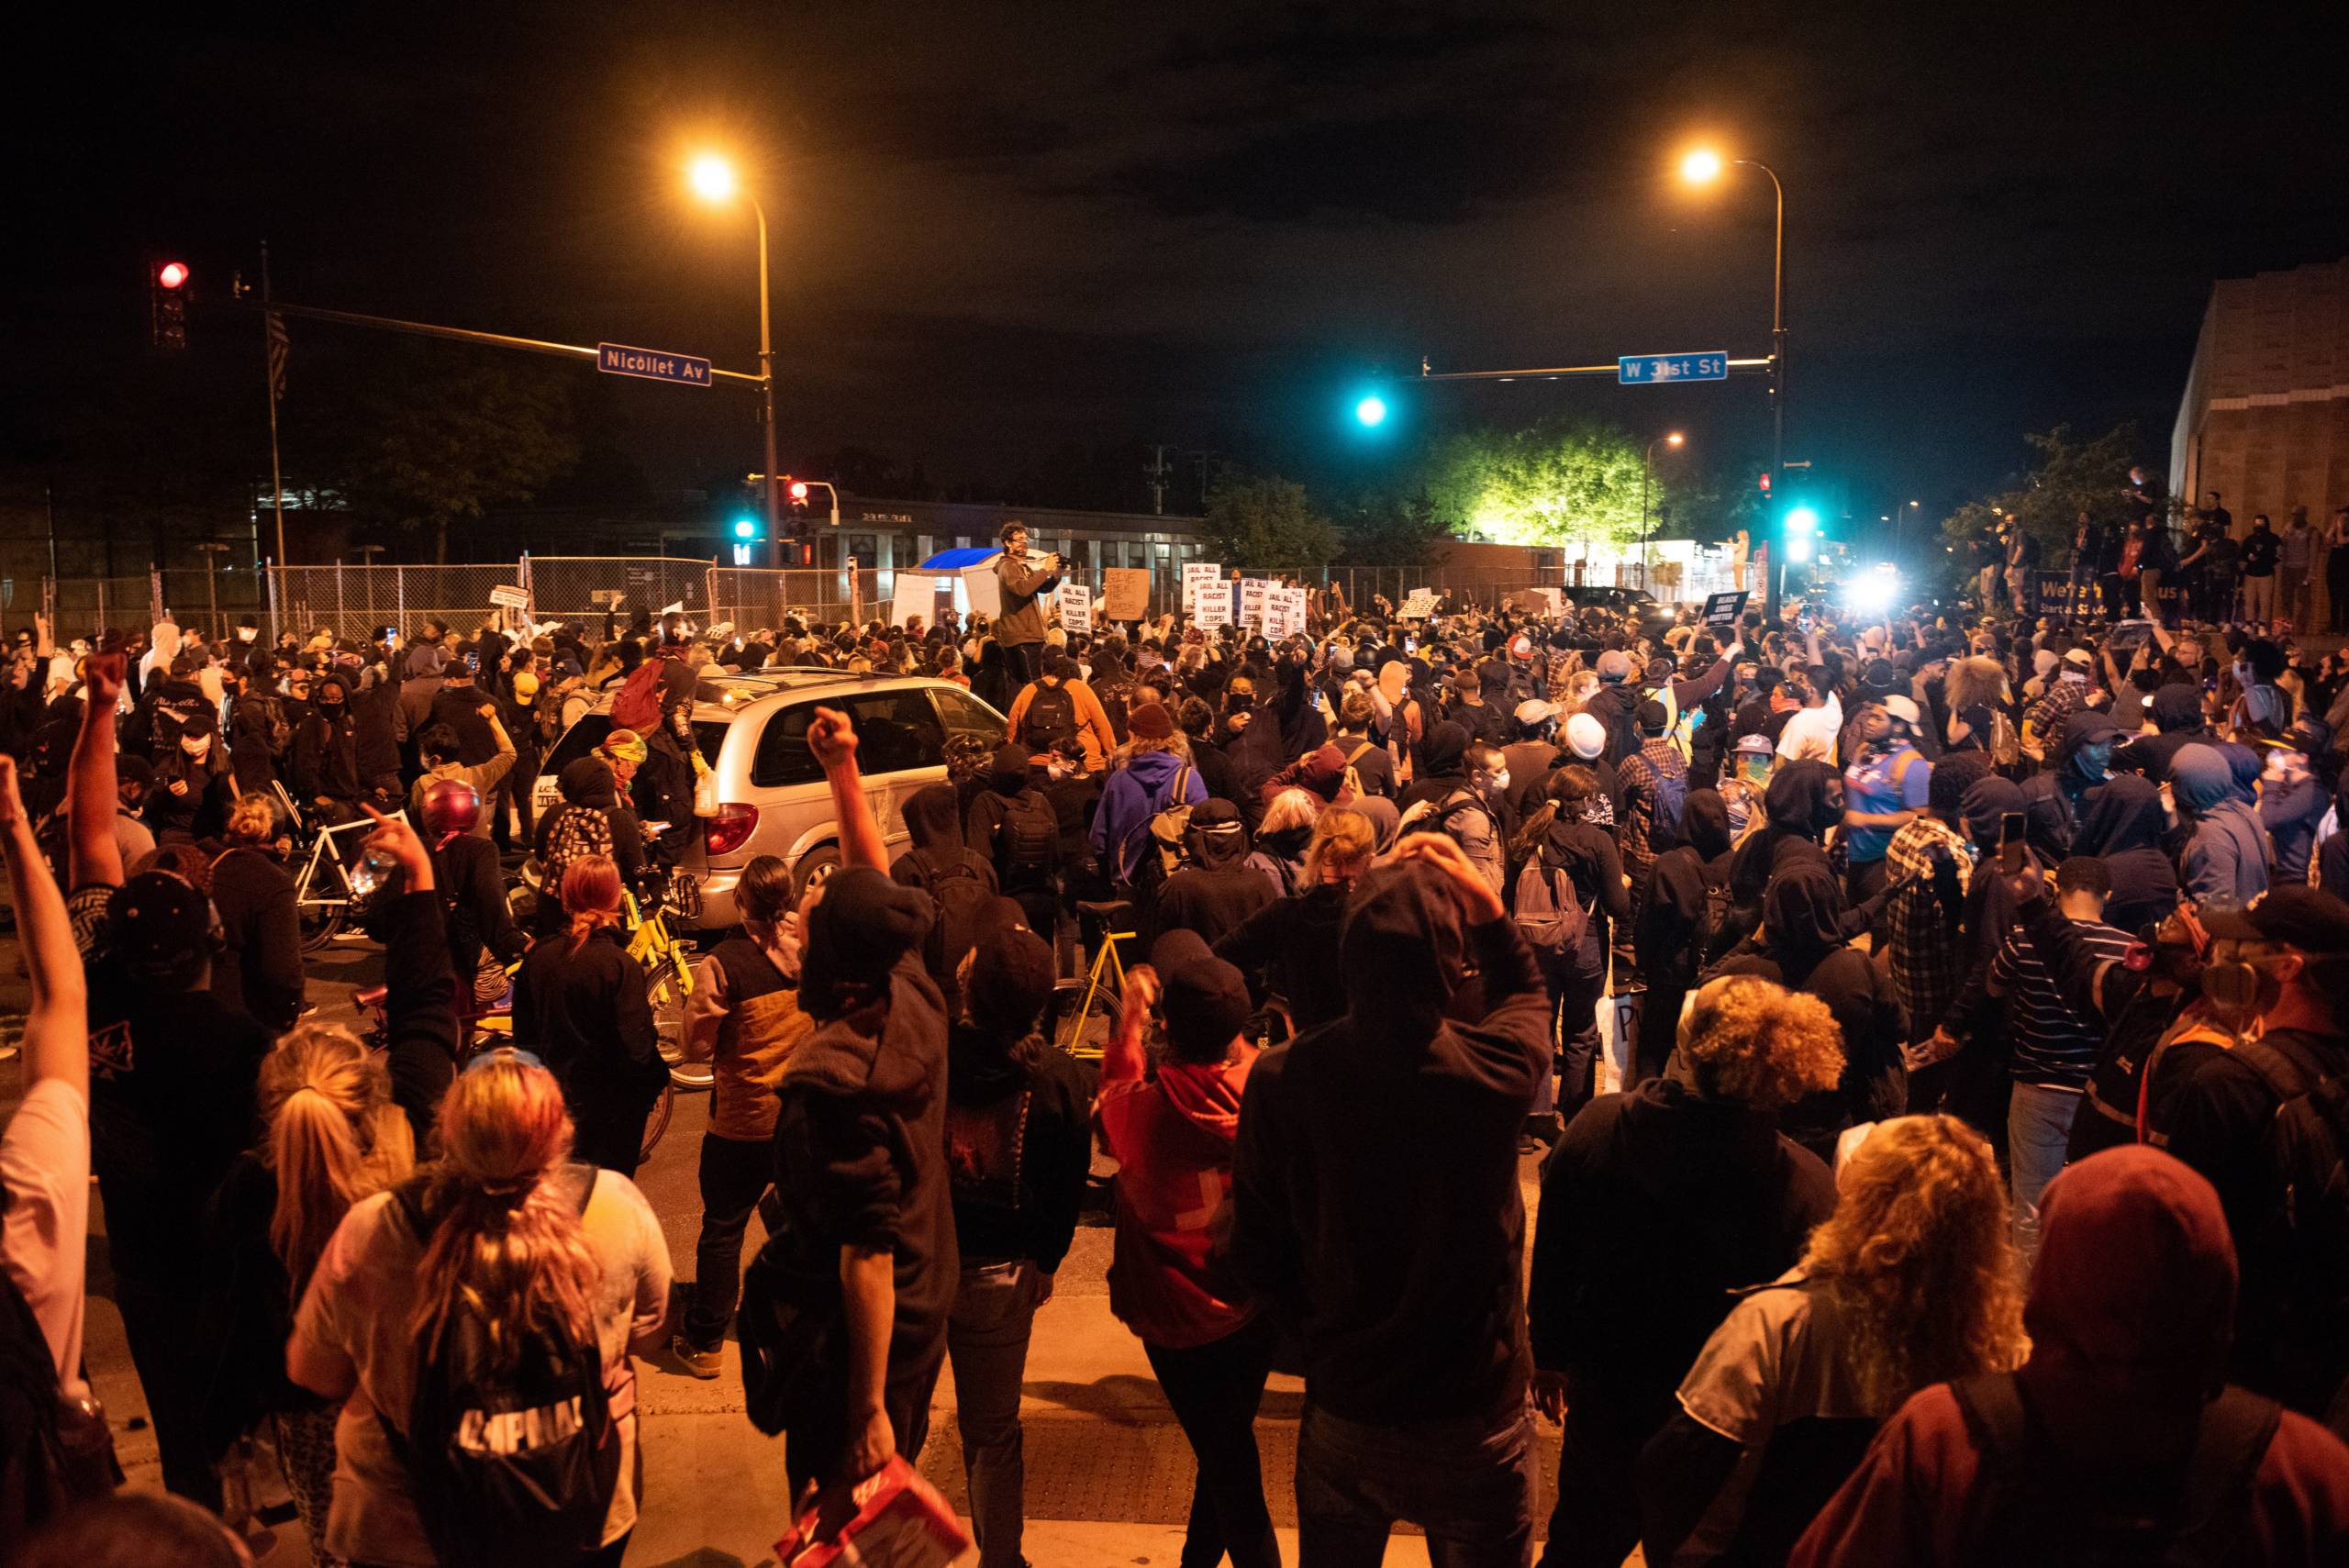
(1911, 1283)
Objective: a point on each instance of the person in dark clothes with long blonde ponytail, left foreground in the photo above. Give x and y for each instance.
(332, 1137)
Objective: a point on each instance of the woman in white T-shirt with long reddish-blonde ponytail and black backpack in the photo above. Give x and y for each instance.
(497, 1255)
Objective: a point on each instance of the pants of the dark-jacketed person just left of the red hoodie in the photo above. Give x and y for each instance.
(995, 1309)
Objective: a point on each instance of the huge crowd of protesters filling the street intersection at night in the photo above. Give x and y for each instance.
(1918, 1032)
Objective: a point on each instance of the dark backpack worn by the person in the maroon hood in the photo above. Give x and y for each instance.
(2033, 1506)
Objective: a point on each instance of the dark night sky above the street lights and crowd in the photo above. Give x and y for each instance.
(1011, 229)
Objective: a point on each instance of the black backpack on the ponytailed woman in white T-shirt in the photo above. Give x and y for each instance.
(513, 1466)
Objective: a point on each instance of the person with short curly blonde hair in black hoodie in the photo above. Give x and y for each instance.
(1655, 1208)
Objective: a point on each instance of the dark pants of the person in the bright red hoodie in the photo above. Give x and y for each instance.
(1216, 1391)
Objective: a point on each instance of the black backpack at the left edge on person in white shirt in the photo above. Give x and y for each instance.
(53, 1454)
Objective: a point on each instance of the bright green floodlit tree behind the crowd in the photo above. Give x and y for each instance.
(1568, 482)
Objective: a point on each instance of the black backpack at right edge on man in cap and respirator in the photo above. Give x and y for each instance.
(2308, 1224)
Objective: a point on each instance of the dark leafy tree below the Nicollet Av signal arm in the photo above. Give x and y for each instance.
(455, 435)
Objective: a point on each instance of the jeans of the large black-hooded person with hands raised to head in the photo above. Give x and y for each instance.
(1467, 1482)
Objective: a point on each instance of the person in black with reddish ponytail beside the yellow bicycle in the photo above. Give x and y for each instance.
(581, 1006)
